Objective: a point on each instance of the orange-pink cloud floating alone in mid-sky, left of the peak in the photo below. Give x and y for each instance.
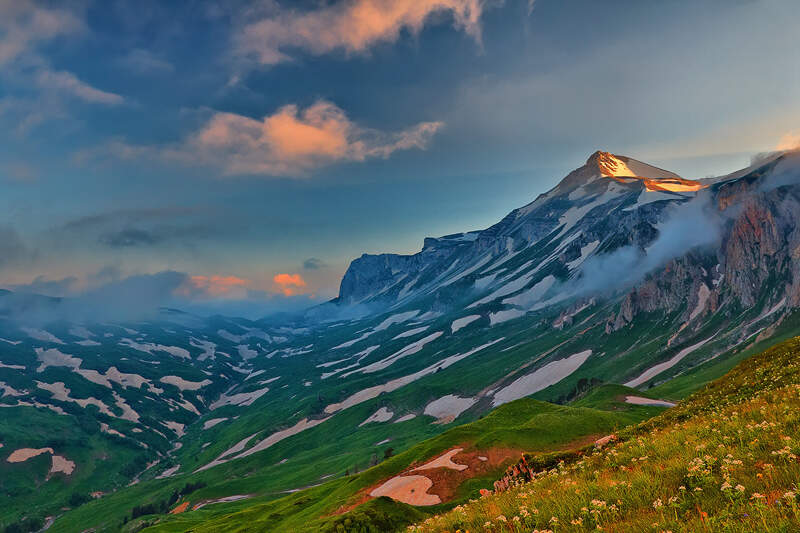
(292, 141)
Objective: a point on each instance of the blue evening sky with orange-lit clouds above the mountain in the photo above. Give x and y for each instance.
(238, 155)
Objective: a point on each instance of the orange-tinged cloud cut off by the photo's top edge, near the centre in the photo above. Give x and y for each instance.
(351, 25)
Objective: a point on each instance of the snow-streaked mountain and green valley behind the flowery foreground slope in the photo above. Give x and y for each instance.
(593, 308)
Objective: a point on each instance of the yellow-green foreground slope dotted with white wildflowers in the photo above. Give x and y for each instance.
(726, 459)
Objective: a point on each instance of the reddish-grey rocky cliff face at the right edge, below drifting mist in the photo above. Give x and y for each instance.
(755, 259)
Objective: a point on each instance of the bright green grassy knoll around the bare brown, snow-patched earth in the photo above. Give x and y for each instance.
(527, 424)
